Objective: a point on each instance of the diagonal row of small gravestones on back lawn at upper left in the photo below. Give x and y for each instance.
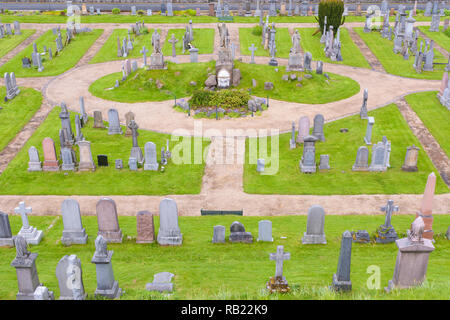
(37, 58)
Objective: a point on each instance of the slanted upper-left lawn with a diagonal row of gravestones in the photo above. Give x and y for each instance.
(68, 57)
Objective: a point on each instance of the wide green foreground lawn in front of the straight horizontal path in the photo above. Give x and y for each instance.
(236, 271)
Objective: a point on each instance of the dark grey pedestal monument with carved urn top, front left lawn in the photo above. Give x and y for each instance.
(107, 286)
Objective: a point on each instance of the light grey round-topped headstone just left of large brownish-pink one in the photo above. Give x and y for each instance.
(73, 232)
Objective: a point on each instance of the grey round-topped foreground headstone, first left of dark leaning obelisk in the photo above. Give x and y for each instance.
(315, 226)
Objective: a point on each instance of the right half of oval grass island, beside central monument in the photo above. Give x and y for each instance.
(313, 91)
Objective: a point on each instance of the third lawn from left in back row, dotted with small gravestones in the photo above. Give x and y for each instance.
(109, 50)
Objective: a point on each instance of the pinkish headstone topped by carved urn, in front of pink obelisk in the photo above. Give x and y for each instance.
(412, 258)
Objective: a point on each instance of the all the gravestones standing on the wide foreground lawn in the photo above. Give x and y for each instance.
(410, 268)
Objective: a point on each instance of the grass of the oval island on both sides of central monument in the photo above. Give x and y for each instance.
(136, 87)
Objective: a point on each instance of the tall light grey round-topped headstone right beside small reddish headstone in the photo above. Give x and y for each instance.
(169, 231)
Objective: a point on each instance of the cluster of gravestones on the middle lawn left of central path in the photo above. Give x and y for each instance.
(68, 158)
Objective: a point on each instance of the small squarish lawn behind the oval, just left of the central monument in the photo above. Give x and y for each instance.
(203, 41)
